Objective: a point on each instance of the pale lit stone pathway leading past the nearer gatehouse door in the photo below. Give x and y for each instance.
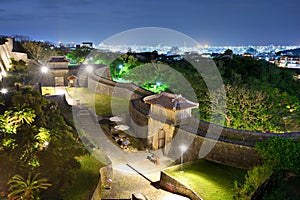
(126, 181)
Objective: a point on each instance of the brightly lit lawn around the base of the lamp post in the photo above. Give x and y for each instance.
(211, 181)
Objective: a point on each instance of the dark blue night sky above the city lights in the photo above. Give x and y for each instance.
(213, 22)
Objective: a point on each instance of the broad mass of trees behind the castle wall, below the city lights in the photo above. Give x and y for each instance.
(260, 96)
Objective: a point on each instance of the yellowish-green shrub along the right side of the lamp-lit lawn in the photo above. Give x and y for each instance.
(254, 178)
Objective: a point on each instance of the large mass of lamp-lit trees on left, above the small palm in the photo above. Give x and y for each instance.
(35, 137)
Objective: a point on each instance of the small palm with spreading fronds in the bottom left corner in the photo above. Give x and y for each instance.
(26, 189)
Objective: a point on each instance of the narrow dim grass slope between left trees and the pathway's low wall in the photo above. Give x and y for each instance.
(86, 180)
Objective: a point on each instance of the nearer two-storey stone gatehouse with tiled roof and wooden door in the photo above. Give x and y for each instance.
(166, 111)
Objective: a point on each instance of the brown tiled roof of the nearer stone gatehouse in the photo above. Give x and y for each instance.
(170, 101)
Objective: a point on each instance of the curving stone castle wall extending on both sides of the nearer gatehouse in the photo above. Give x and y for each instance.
(232, 147)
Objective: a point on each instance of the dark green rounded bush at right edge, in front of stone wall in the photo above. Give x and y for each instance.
(281, 154)
